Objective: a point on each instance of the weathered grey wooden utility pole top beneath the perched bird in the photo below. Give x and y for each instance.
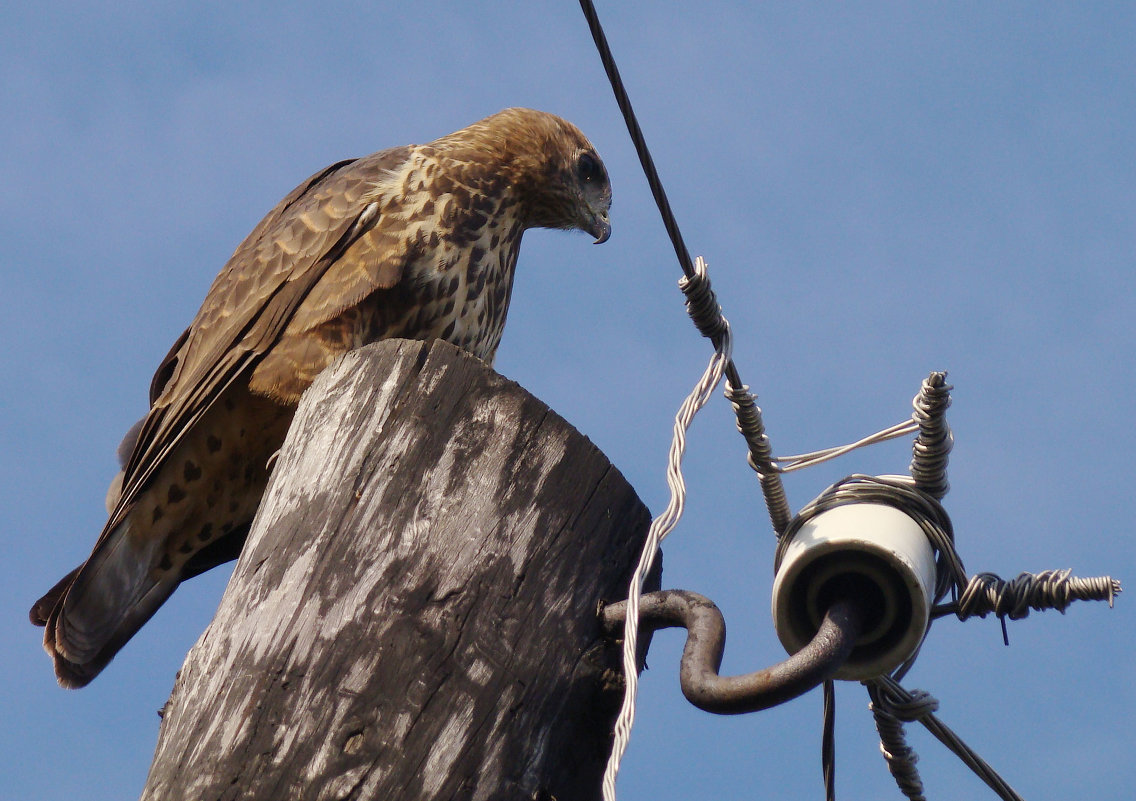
(415, 612)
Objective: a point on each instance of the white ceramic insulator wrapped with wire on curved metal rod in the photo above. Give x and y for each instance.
(883, 558)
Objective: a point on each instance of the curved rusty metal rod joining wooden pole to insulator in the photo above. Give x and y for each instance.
(706, 643)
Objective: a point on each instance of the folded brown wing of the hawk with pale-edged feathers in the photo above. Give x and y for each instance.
(308, 238)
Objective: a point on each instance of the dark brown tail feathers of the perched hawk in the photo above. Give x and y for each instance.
(102, 605)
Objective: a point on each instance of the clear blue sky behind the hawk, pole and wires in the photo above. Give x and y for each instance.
(881, 190)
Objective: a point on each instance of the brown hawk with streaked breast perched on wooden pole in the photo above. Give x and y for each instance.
(416, 243)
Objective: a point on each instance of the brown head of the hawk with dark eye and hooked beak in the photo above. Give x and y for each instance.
(558, 179)
